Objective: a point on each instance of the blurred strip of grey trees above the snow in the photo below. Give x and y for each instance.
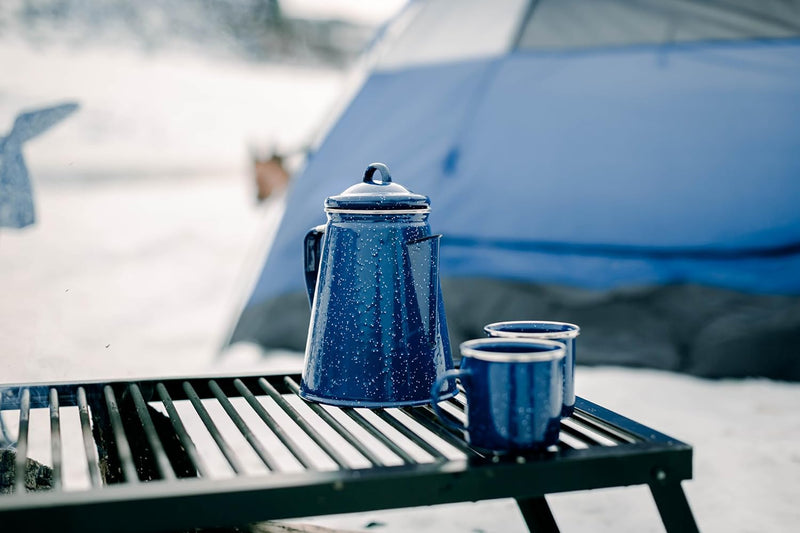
(254, 29)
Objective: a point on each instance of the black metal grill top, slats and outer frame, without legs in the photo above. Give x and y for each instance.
(122, 446)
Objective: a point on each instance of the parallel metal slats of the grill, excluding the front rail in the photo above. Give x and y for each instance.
(121, 442)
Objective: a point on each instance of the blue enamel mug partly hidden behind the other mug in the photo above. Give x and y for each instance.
(543, 329)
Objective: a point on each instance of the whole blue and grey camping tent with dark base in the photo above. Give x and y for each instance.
(628, 166)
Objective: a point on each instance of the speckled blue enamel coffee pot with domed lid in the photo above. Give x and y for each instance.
(378, 335)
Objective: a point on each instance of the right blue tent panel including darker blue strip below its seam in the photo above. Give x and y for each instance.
(706, 156)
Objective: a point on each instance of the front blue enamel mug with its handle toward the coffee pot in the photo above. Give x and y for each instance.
(514, 393)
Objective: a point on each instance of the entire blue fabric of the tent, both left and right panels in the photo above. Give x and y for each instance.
(595, 169)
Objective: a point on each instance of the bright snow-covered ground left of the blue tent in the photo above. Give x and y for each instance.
(145, 202)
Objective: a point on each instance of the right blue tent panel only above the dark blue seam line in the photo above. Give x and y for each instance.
(687, 135)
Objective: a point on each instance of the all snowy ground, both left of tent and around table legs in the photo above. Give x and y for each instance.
(148, 237)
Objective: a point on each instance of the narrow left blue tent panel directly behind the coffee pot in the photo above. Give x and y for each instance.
(372, 127)
